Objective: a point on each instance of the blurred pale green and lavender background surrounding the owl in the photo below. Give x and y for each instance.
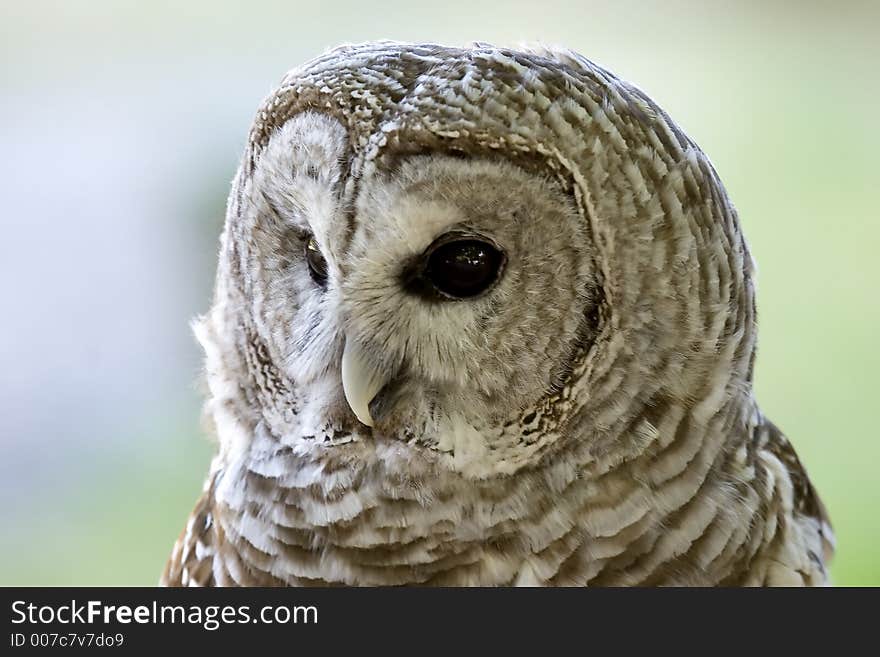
(121, 124)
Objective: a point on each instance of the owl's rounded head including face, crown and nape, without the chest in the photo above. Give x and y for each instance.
(474, 258)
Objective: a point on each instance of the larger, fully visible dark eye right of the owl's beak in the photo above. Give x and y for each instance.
(462, 267)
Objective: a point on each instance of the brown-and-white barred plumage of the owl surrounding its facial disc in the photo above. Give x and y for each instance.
(650, 465)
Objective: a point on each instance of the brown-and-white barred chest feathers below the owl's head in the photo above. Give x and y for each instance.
(690, 512)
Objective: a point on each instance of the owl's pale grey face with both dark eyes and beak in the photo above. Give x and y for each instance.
(429, 302)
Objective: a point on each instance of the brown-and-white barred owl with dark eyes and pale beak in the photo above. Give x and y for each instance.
(486, 317)
